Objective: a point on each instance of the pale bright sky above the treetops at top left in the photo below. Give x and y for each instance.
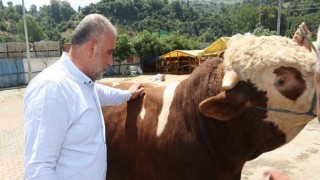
(74, 3)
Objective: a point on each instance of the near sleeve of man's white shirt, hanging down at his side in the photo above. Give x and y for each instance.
(46, 124)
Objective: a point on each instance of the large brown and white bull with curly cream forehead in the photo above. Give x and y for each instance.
(224, 114)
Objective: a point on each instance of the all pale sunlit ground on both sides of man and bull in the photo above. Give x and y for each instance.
(300, 159)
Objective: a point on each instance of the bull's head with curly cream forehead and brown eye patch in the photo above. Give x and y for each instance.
(275, 65)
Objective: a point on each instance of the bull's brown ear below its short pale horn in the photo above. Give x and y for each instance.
(224, 106)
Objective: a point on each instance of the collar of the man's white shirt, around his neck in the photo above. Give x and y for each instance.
(74, 70)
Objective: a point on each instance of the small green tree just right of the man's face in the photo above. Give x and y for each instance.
(124, 48)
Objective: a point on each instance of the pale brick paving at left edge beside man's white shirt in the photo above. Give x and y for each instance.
(11, 134)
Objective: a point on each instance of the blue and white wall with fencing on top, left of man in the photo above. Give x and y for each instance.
(14, 69)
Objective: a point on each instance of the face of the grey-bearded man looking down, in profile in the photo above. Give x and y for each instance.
(103, 57)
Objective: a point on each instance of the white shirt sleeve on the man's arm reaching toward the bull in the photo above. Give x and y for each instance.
(109, 96)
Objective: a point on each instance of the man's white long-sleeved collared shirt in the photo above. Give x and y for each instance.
(64, 129)
